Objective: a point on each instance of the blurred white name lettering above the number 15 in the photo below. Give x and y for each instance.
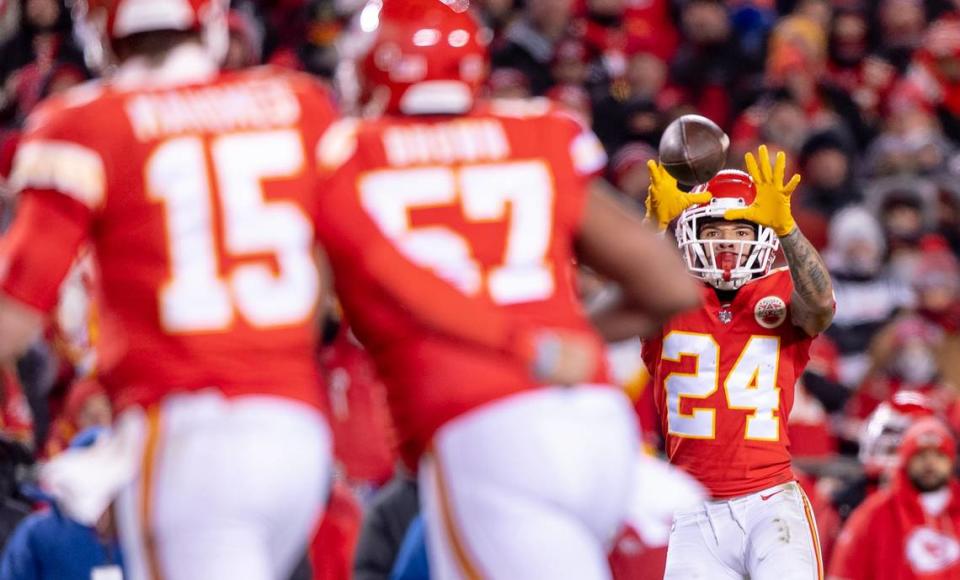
(231, 107)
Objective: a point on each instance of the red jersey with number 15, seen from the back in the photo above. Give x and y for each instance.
(198, 197)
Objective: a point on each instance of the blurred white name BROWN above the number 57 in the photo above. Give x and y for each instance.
(461, 140)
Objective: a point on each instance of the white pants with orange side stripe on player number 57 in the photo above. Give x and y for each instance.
(532, 486)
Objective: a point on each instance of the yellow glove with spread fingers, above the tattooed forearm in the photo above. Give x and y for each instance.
(771, 208)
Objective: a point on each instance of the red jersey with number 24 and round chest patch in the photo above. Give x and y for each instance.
(725, 376)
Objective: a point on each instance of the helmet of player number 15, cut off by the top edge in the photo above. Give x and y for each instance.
(100, 22)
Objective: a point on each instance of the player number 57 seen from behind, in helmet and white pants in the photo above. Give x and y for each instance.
(518, 480)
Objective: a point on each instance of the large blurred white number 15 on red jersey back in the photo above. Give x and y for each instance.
(202, 294)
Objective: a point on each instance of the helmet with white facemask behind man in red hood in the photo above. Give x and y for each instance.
(884, 429)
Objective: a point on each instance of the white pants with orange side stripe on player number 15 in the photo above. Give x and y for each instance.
(229, 489)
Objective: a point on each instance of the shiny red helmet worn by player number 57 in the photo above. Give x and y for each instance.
(420, 57)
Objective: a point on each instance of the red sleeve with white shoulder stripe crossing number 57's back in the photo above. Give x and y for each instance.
(345, 228)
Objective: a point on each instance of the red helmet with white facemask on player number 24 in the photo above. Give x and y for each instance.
(731, 189)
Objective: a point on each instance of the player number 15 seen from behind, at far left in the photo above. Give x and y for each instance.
(197, 191)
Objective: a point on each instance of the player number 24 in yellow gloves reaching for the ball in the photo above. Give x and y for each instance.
(725, 373)
